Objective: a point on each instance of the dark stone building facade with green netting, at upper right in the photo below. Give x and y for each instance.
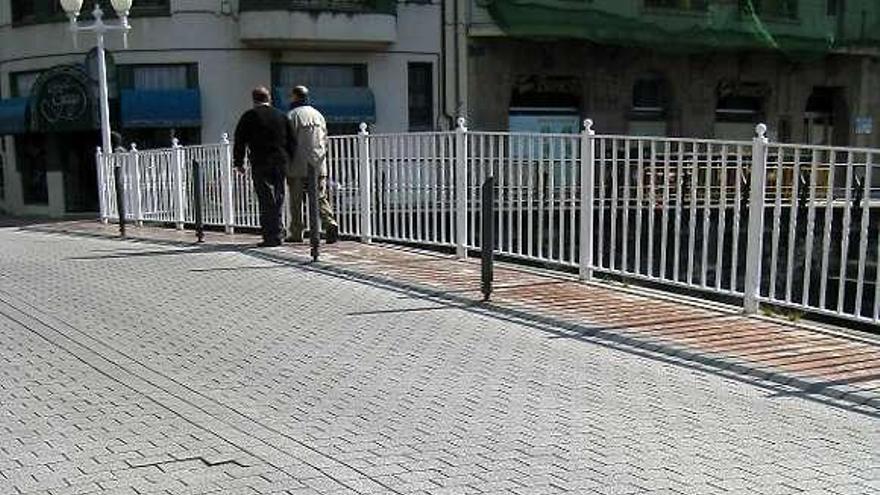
(692, 68)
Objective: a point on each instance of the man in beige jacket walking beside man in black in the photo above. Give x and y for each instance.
(310, 153)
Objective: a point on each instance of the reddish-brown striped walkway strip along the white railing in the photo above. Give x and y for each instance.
(815, 361)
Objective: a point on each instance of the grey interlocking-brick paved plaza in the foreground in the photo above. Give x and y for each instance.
(135, 368)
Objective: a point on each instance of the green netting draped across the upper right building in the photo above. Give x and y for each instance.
(796, 28)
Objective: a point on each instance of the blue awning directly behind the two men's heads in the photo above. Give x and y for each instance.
(339, 105)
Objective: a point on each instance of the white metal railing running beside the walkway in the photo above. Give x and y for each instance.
(790, 225)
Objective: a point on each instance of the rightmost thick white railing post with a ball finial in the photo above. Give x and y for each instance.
(758, 180)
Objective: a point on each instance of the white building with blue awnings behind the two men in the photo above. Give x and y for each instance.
(188, 73)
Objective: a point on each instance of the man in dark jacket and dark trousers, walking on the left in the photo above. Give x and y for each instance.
(265, 132)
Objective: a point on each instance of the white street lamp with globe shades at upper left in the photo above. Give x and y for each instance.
(99, 27)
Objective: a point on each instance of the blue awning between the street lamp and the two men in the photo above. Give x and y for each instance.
(161, 108)
